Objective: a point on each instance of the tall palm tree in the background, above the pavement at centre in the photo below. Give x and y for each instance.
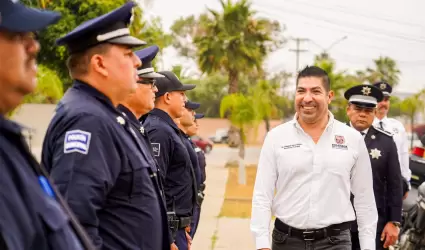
(234, 41)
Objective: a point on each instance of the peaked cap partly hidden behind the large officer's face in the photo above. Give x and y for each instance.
(146, 56)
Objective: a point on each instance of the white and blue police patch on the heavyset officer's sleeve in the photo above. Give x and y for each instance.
(76, 141)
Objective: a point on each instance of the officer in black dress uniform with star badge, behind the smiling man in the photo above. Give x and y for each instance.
(387, 179)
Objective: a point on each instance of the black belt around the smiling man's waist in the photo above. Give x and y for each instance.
(311, 234)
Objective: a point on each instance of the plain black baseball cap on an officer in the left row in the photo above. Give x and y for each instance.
(170, 83)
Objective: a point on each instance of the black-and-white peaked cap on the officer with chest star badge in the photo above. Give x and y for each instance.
(364, 95)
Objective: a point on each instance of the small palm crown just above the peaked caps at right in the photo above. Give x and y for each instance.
(385, 70)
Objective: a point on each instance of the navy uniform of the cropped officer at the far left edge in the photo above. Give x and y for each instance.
(30, 218)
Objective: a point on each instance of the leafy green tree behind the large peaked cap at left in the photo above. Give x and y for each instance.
(76, 12)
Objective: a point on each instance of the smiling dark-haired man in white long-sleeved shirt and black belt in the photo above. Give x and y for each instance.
(313, 162)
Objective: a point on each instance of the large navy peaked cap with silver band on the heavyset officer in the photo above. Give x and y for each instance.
(110, 28)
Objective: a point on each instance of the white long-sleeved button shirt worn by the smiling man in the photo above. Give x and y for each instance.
(313, 181)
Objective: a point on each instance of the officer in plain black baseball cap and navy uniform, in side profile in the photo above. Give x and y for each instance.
(173, 158)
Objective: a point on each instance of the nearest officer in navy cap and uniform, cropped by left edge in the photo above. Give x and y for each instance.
(33, 215)
